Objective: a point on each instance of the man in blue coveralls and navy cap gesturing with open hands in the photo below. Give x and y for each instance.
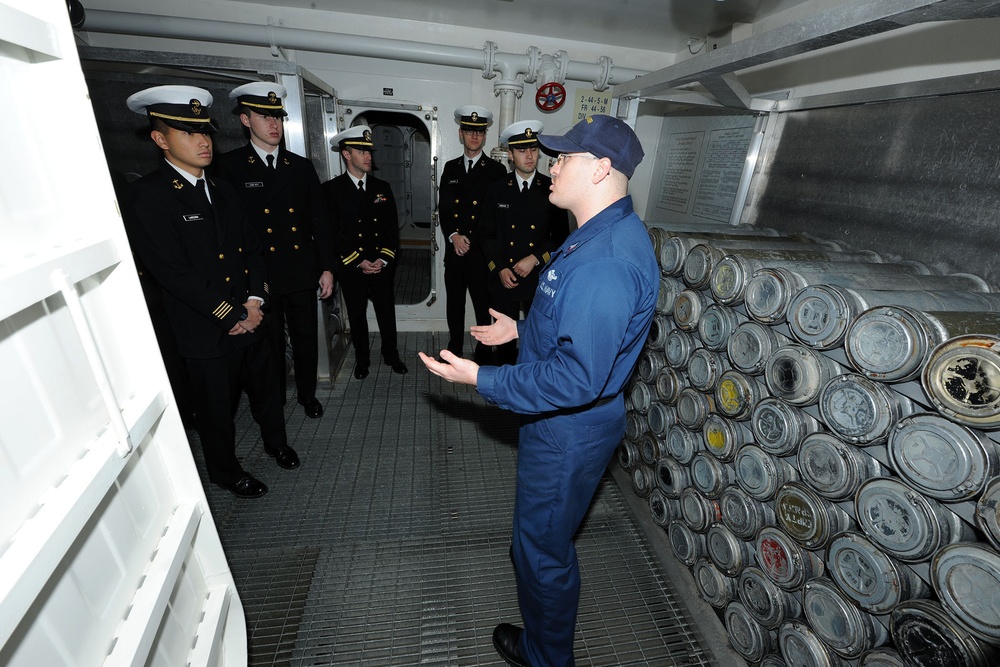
(578, 347)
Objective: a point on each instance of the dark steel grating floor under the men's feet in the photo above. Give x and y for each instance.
(389, 546)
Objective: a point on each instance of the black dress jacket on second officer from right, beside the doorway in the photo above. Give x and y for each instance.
(460, 203)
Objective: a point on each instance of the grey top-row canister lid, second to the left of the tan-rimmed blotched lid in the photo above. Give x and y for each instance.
(818, 315)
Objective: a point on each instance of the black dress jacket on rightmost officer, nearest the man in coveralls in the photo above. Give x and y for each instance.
(517, 224)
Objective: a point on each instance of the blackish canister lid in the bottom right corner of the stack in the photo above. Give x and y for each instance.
(926, 636)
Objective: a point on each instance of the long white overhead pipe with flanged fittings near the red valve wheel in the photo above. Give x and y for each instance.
(530, 65)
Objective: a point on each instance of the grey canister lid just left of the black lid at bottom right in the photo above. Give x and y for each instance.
(838, 622)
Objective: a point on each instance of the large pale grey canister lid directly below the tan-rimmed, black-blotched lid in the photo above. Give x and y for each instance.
(942, 459)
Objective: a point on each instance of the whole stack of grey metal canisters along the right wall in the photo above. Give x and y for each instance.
(816, 430)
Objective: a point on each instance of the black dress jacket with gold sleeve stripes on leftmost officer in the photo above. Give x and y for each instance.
(205, 256)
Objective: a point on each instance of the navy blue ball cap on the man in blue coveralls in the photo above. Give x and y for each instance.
(601, 136)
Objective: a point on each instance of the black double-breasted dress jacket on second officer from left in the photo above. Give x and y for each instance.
(288, 213)
